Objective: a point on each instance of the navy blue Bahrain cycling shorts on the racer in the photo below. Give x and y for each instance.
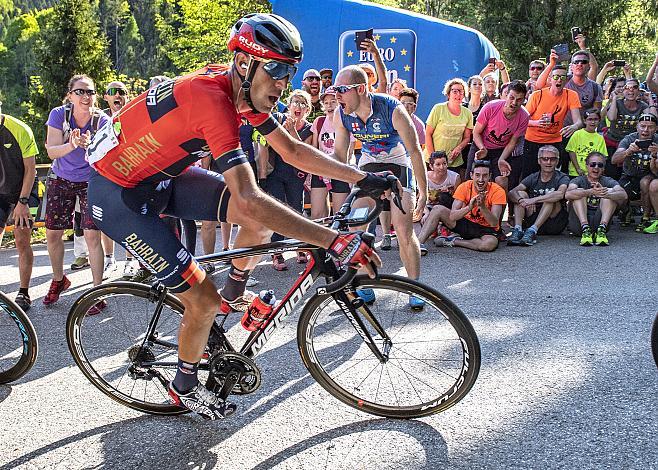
(131, 217)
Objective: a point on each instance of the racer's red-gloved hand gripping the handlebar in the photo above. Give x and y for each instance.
(355, 250)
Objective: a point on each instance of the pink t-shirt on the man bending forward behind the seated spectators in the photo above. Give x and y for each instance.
(498, 130)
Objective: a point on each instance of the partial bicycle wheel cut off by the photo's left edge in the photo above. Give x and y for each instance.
(19, 346)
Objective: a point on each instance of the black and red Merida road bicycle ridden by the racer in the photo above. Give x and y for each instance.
(382, 359)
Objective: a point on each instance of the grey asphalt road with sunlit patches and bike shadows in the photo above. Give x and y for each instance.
(567, 379)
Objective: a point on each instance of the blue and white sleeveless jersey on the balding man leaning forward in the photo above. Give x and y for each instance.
(381, 142)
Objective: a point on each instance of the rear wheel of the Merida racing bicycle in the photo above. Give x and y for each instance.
(100, 344)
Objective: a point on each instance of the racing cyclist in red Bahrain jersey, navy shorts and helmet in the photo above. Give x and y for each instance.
(142, 168)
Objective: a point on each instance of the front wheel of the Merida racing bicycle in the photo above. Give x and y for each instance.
(333, 351)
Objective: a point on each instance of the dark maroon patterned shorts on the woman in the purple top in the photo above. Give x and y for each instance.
(61, 195)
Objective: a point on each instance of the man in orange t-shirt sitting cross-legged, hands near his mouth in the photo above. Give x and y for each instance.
(475, 212)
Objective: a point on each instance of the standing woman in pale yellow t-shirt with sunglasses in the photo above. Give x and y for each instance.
(450, 125)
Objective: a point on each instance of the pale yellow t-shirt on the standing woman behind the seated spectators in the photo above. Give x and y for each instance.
(449, 129)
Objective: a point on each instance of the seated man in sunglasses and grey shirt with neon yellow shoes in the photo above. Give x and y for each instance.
(593, 199)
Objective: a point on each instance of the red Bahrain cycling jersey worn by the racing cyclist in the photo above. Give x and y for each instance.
(172, 125)
